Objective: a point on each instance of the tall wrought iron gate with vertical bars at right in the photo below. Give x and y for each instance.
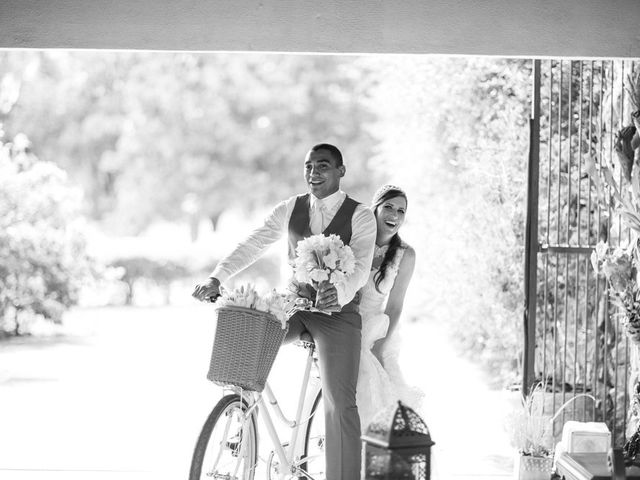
(573, 345)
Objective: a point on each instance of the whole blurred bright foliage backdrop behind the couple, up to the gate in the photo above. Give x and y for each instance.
(124, 176)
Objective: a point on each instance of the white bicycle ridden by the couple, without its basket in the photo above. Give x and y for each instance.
(227, 448)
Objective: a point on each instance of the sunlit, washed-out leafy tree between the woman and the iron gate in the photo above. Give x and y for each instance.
(454, 133)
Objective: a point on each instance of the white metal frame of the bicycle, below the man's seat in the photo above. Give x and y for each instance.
(291, 457)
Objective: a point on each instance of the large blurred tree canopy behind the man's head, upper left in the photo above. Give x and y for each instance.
(168, 135)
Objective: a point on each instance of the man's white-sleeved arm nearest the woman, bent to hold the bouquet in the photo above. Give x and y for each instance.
(363, 238)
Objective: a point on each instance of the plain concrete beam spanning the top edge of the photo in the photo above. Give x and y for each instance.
(577, 28)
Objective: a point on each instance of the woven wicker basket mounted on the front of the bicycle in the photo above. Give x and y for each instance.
(245, 347)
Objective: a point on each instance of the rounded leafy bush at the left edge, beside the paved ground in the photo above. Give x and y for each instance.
(43, 259)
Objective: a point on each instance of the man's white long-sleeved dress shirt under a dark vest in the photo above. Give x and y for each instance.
(363, 238)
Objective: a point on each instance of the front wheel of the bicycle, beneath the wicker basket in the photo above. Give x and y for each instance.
(227, 448)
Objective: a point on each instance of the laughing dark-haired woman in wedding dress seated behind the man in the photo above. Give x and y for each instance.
(380, 382)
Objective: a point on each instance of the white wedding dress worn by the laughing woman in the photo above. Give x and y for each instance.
(379, 388)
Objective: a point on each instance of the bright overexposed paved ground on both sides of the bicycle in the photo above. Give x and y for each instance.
(122, 395)
